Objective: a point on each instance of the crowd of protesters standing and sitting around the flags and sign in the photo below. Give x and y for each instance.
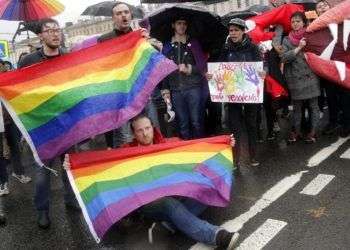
(196, 116)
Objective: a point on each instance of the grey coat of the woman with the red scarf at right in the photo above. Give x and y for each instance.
(302, 82)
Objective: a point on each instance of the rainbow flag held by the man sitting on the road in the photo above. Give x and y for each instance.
(111, 184)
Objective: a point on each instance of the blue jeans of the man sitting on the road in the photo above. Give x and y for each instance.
(183, 215)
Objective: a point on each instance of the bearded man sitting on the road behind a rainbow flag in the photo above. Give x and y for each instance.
(180, 213)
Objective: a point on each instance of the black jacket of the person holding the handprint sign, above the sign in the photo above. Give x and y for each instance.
(244, 51)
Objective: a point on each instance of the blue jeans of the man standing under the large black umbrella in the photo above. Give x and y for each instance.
(189, 112)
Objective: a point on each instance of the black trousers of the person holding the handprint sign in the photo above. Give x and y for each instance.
(240, 115)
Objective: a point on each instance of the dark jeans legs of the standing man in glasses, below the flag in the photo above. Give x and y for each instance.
(43, 192)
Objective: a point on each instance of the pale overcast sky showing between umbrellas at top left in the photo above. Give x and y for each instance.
(73, 9)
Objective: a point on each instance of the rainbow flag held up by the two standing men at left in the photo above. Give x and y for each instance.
(65, 100)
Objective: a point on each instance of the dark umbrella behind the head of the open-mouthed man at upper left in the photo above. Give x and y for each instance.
(105, 9)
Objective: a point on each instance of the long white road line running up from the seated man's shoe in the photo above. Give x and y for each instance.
(266, 200)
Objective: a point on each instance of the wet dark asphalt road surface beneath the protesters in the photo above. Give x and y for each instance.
(310, 222)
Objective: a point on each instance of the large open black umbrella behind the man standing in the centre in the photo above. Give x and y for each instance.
(205, 26)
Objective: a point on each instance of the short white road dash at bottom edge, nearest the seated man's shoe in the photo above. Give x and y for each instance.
(262, 235)
